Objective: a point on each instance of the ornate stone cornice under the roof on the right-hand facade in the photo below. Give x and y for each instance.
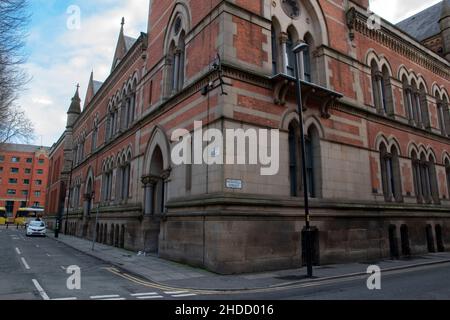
(398, 42)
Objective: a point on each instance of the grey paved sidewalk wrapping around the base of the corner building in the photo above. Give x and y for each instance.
(173, 274)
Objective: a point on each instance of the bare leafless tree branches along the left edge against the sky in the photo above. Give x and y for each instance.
(14, 19)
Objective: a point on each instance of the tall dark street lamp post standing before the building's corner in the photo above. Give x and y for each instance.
(298, 50)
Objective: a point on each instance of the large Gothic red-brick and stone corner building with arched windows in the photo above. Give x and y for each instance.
(377, 127)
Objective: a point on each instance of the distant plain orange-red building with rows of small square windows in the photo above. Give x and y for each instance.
(23, 176)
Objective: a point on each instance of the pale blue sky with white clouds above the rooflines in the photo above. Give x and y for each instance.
(63, 50)
